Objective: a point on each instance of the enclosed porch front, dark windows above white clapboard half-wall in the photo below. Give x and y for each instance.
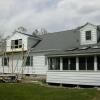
(80, 70)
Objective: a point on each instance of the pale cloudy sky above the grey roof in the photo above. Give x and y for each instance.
(53, 15)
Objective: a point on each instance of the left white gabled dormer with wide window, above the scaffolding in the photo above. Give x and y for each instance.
(20, 41)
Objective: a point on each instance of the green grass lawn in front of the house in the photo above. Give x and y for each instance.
(37, 92)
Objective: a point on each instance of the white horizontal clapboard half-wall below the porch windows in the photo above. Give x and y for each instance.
(79, 78)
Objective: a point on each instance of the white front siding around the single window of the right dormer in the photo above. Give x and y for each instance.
(91, 28)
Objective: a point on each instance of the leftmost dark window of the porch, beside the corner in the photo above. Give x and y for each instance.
(54, 63)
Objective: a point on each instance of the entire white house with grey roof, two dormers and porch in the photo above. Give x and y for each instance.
(66, 57)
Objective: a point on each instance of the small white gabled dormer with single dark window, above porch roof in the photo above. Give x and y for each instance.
(88, 34)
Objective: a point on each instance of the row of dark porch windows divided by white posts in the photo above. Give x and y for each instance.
(78, 63)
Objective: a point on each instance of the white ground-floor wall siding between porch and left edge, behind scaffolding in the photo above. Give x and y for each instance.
(38, 67)
